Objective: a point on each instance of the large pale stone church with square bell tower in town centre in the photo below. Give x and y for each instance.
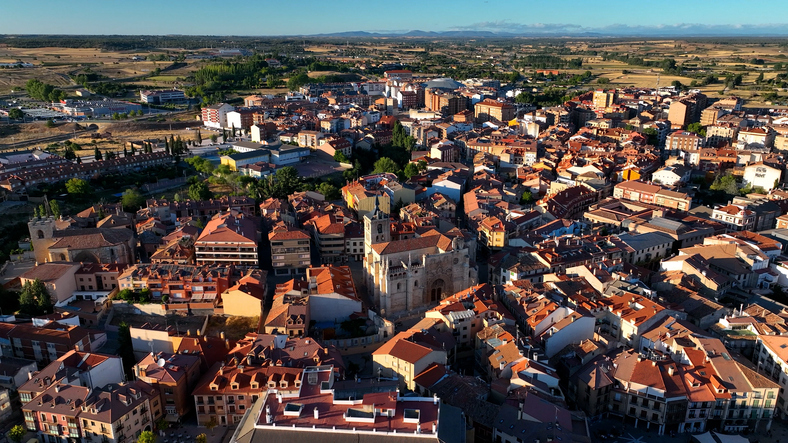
(409, 275)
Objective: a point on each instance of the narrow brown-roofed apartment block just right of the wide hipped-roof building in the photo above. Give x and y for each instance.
(290, 249)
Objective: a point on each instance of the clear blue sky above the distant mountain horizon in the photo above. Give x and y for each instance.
(308, 17)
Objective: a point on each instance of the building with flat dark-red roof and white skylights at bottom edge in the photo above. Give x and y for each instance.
(321, 410)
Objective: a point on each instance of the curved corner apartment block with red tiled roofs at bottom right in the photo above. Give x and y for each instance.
(698, 387)
